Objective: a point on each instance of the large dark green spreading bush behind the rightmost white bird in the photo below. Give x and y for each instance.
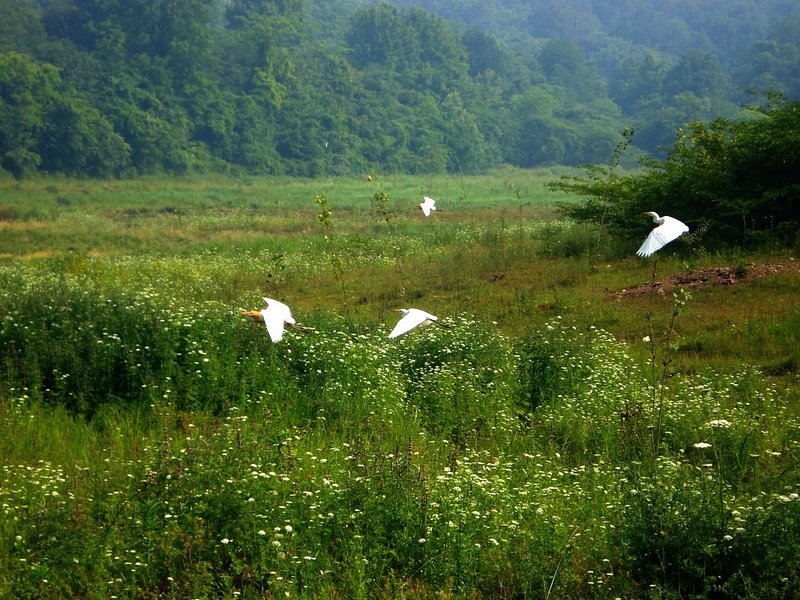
(731, 180)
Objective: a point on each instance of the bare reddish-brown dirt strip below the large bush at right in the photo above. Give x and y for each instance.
(713, 276)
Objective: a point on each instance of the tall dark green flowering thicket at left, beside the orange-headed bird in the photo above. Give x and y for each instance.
(76, 346)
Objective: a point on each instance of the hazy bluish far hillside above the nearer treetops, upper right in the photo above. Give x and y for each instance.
(726, 29)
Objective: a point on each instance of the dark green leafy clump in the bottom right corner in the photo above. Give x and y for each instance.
(687, 538)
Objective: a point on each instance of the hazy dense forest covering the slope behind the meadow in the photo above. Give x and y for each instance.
(122, 88)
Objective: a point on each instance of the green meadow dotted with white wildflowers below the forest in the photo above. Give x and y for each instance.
(558, 438)
